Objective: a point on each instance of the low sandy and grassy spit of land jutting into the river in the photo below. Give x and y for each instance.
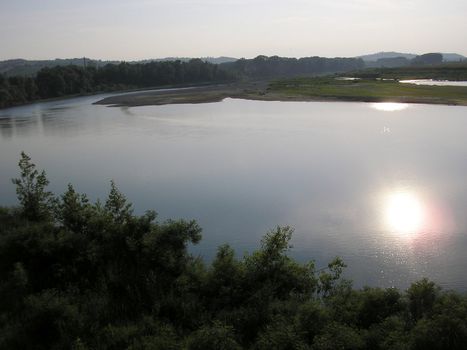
(300, 89)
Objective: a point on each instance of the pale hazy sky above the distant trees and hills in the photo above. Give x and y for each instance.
(138, 29)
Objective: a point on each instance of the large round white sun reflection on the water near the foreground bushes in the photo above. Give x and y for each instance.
(404, 212)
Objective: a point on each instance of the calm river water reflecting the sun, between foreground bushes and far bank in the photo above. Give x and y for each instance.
(382, 185)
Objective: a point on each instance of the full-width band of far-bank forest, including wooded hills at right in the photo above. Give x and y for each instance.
(74, 80)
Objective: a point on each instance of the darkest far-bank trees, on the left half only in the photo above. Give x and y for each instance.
(69, 80)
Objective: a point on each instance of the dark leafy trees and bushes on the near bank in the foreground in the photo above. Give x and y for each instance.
(81, 275)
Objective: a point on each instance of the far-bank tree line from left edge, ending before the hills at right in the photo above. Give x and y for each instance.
(59, 81)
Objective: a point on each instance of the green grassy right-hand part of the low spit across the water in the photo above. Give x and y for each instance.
(369, 90)
